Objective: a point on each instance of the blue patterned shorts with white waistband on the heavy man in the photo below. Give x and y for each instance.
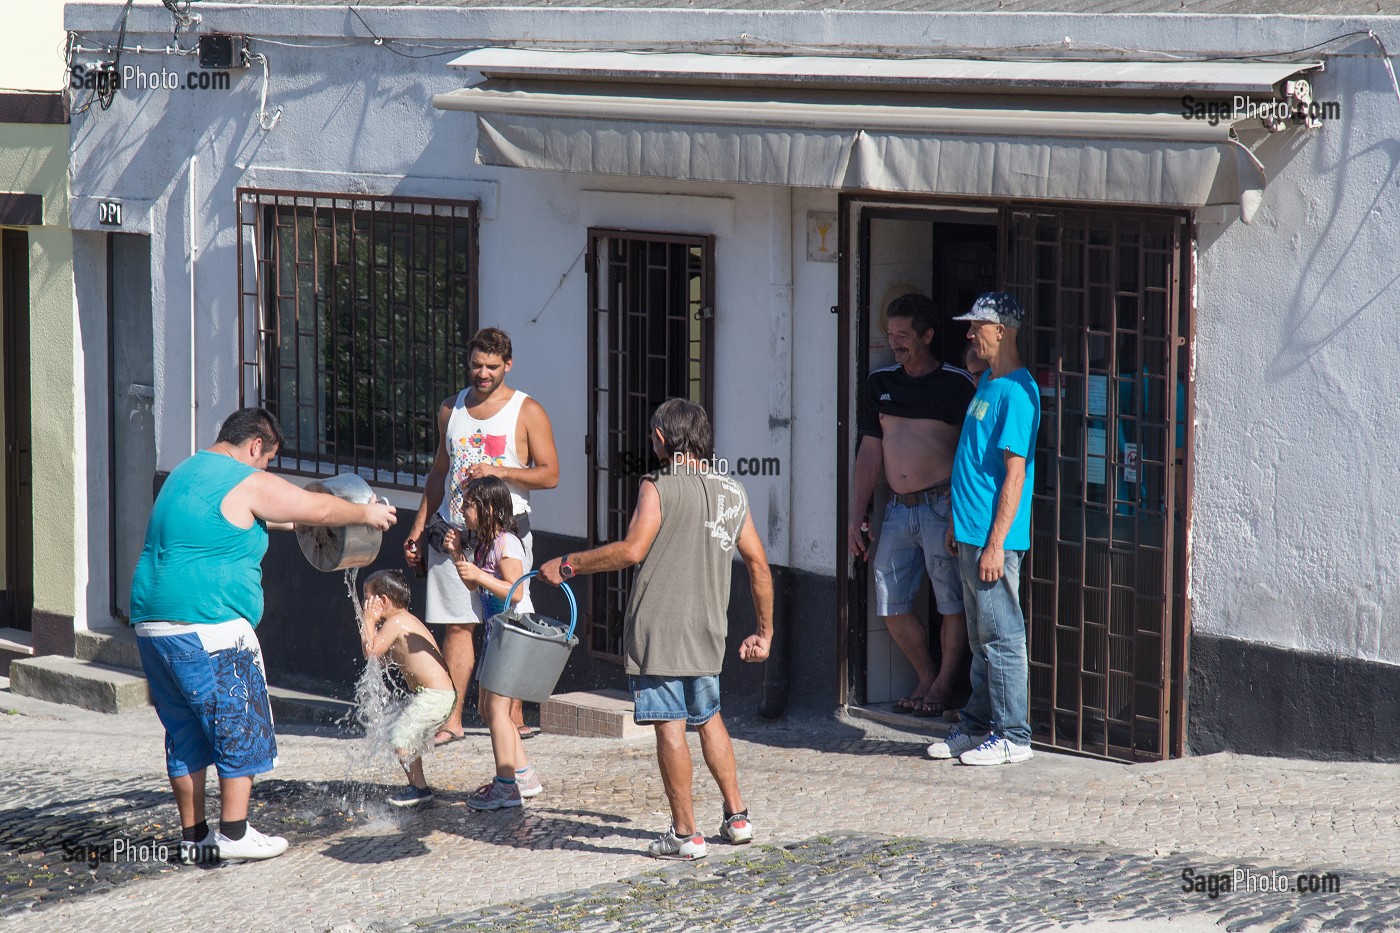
(209, 691)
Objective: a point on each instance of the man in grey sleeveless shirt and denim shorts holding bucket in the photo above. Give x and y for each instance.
(688, 523)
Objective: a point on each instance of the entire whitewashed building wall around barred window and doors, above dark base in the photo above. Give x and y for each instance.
(1297, 518)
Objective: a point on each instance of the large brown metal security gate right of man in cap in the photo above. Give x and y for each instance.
(1105, 592)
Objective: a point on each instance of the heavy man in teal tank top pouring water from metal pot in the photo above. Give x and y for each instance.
(197, 597)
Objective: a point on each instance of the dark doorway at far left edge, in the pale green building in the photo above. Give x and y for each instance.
(16, 467)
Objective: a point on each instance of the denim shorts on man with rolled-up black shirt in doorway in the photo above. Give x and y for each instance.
(913, 541)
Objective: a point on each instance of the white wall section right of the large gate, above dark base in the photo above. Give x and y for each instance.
(1297, 488)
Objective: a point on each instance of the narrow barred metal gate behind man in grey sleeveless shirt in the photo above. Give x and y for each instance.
(650, 330)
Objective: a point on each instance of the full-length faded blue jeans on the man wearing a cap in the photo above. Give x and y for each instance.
(997, 637)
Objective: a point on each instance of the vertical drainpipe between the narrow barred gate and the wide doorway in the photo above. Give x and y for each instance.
(780, 436)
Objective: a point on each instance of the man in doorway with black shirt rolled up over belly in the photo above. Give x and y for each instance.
(911, 418)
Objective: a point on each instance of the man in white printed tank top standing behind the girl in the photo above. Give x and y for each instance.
(488, 429)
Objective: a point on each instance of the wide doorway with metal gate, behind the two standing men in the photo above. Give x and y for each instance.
(1108, 338)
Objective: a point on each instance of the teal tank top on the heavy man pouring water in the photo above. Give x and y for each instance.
(197, 567)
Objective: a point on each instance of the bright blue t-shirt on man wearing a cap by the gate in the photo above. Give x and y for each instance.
(1004, 417)
